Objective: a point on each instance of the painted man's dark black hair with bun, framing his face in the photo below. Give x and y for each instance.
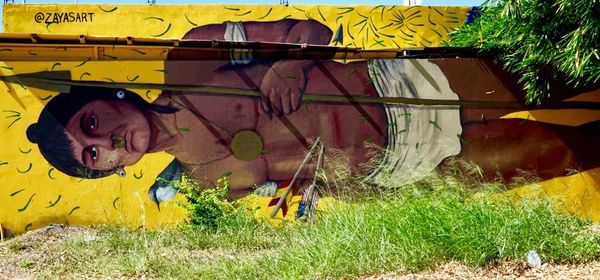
(50, 135)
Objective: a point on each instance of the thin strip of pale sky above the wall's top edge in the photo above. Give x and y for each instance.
(264, 2)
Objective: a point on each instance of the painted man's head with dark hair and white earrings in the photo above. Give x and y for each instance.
(91, 131)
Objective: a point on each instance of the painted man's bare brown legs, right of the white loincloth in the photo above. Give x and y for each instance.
(505, 147)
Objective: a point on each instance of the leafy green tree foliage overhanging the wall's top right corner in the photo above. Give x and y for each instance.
(545, 41)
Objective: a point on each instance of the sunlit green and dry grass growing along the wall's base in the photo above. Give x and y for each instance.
(404, 229)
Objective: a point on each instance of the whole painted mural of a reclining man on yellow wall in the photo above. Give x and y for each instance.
(117, 150)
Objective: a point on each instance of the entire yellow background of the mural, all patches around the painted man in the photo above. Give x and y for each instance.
(33, 194)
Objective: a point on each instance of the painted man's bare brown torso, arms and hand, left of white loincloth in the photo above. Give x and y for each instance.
(286, 129)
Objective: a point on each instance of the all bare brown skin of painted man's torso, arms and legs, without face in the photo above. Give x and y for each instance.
(199, 135)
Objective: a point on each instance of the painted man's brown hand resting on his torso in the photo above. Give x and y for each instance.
(282, 87)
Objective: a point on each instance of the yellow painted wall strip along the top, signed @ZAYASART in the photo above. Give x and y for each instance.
(368, 26)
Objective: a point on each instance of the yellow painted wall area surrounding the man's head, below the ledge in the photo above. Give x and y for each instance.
(36, 194)
